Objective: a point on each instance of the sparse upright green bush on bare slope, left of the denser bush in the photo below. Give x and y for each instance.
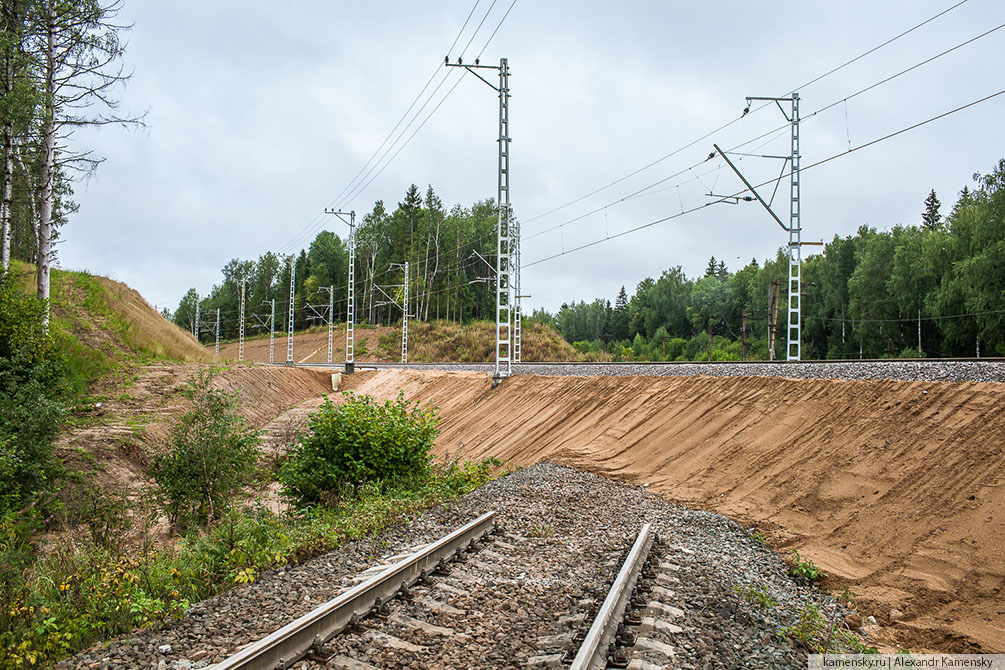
(214, 457)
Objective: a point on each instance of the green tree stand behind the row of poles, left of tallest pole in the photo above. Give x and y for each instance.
(450, 277)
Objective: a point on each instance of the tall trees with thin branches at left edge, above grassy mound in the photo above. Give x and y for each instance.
(60, 66)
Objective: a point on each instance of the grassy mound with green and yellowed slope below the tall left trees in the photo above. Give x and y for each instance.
(101, 324)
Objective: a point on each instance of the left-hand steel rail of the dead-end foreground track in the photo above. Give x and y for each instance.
(292, 642)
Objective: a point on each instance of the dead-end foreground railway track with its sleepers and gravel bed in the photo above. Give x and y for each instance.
(526, 597)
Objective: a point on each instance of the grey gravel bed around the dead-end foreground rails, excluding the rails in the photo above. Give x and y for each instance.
(564, 537)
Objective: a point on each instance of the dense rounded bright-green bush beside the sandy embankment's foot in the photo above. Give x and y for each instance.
(357, 442)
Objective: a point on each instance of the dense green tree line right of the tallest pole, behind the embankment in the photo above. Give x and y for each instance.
(935, 290)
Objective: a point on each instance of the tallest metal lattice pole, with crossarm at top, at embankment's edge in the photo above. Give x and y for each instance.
(507, 236)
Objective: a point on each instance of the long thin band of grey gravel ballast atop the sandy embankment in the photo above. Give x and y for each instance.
(908, 371)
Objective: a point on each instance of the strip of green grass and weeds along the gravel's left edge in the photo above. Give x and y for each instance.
(80, 593)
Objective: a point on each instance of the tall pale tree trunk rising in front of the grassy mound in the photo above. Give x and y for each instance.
(49, 148)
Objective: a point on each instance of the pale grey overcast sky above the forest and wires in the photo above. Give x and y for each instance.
(261, 114)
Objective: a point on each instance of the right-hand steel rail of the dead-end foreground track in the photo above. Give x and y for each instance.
(592, 653)
